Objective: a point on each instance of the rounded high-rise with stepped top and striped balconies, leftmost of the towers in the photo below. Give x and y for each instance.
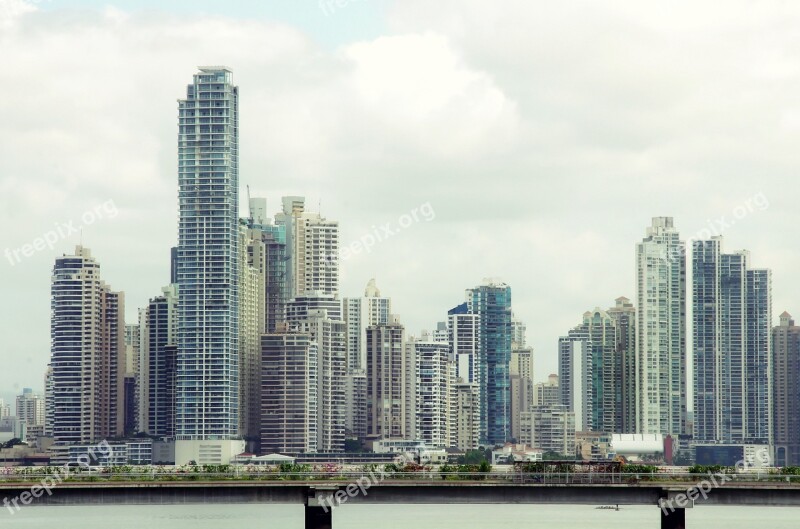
(87, 352)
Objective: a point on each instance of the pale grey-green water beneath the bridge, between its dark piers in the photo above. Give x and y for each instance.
(365, 516)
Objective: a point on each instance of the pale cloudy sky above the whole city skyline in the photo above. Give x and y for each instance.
(540, 139)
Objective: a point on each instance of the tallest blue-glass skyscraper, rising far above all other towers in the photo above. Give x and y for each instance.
(207, 264)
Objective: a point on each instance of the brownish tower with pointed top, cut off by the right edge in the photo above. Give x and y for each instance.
(786, 391)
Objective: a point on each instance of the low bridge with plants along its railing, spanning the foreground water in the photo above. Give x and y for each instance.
(322, 493)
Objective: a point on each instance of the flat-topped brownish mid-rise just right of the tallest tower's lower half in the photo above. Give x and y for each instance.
(289, 393)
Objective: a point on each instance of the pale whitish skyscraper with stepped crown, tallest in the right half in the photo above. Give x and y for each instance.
(661, 330)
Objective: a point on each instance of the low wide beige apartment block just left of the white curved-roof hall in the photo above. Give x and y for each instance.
(549, 428)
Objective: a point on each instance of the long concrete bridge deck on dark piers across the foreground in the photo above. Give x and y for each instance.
(321, 497)
